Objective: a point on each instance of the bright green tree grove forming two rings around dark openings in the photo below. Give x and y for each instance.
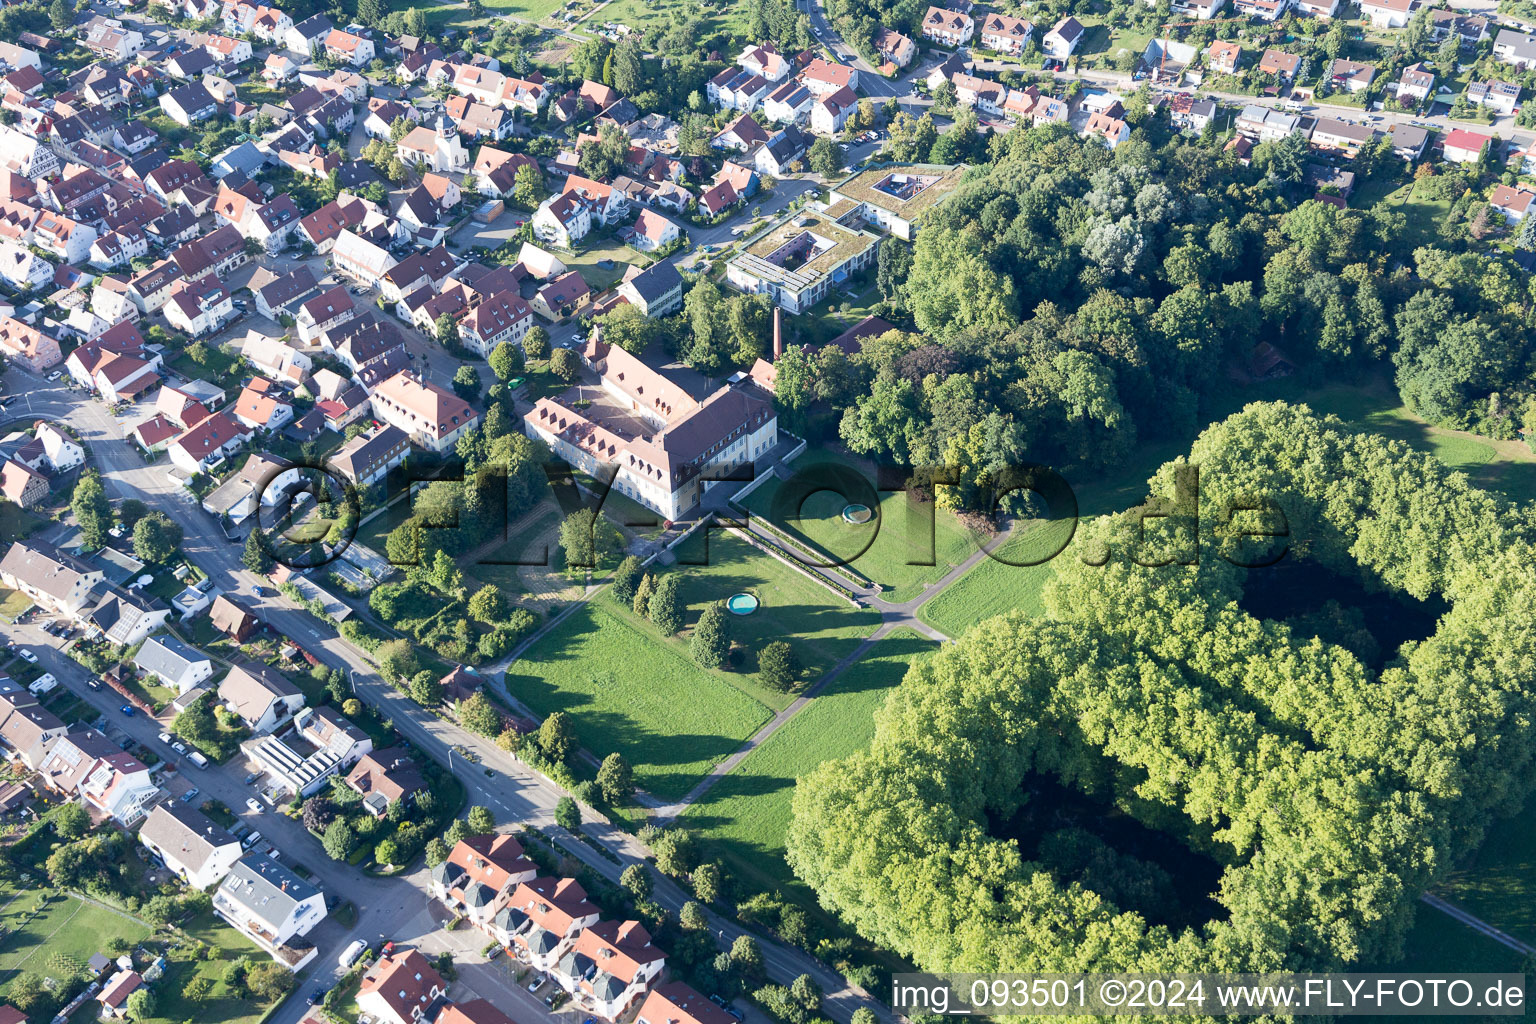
(1329, 794)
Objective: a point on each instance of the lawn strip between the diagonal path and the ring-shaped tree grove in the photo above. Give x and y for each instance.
(749, 811)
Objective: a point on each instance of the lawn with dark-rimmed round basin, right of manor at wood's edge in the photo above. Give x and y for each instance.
(881, 550)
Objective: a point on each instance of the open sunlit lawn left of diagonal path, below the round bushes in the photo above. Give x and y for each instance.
(631, 692)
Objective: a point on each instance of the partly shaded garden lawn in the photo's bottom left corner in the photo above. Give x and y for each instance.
(59, 942)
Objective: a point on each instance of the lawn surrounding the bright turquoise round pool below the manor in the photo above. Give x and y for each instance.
(823, 627)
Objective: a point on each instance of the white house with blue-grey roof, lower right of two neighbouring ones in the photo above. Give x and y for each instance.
(271, 907)
